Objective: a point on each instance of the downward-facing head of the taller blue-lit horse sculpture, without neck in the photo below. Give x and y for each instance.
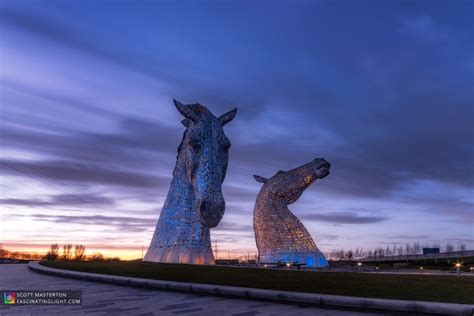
(205, 149)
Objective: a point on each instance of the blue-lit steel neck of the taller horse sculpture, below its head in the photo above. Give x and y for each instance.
(179, 227)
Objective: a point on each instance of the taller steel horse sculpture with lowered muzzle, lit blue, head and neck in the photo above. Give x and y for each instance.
(194, 203)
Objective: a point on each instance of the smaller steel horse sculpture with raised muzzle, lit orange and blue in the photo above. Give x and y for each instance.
(280, 236)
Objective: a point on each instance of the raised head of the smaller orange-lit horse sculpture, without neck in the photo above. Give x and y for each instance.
(289, 185)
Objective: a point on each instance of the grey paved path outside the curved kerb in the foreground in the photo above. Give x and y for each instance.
(107, 299)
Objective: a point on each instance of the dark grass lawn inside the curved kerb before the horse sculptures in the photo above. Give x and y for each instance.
(442, 288)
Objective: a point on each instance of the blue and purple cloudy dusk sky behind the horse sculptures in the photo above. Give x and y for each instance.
(381, 89)
